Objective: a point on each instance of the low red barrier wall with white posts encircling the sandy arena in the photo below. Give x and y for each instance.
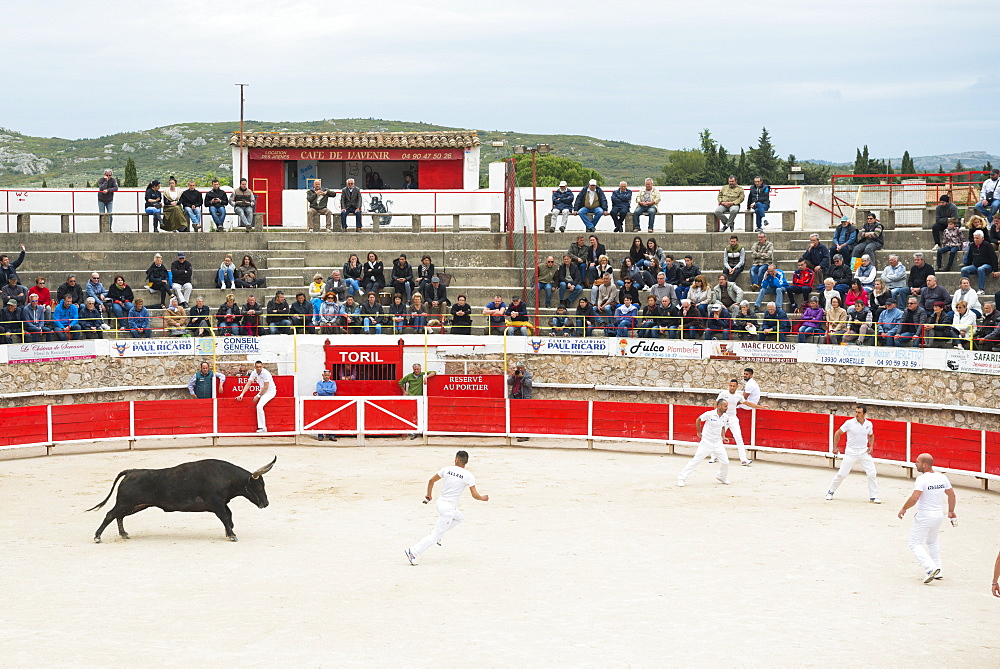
(958, 450)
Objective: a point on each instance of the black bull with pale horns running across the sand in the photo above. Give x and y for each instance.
(203, 485)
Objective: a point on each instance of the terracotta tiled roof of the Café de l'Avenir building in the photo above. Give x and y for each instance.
(356, 140)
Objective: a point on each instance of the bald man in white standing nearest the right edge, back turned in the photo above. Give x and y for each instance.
(928, 491)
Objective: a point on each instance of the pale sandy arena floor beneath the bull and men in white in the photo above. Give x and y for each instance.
(579, 558)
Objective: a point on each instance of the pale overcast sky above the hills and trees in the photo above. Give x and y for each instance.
(824, 78)
